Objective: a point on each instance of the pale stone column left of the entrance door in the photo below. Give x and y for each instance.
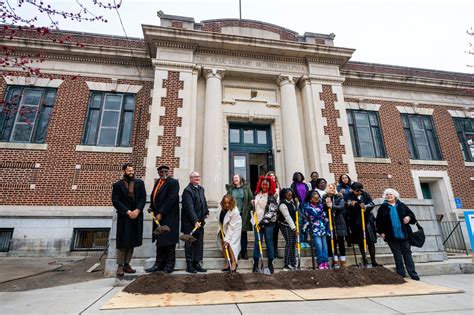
(213, 137)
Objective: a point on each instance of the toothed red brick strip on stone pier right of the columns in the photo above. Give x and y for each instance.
(335, 148)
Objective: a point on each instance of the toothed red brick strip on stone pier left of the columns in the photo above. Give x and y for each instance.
(170, 121)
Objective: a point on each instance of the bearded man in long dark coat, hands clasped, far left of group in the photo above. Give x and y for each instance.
(128, 198)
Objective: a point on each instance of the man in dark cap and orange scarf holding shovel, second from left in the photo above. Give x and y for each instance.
(165, 207)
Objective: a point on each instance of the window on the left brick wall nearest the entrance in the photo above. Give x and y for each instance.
(109, 119)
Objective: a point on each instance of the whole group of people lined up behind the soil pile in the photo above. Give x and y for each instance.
(315, 214)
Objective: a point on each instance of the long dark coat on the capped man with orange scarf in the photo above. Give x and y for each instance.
(166, 202)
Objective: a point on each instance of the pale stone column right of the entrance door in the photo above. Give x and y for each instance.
(292, 143)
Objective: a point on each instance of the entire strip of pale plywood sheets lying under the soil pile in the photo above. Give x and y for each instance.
(123, 300)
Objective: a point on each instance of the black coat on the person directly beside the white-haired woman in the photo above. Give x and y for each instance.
(355, 219)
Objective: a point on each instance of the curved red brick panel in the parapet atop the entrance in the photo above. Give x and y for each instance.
(216, 26)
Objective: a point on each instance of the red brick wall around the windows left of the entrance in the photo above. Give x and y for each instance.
(57, 171)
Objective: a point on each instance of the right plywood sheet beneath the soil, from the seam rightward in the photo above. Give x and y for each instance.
(409, 288)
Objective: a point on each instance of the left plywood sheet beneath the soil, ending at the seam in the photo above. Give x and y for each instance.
(127, 300)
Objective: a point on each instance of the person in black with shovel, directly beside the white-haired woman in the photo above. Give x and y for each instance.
(356, 199)
